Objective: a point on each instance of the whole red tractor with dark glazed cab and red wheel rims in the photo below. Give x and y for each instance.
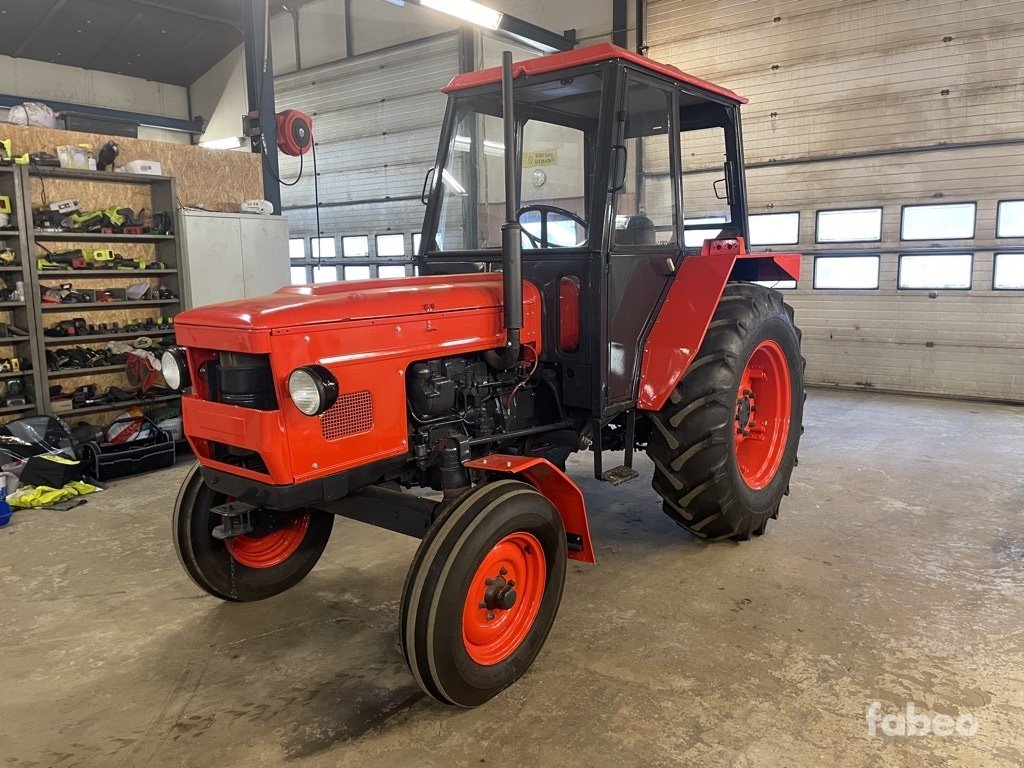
(566, 302)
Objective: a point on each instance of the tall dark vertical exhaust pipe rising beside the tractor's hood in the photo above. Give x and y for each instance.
(511, 232)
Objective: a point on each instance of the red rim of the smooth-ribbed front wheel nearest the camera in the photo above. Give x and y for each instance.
(491, 631)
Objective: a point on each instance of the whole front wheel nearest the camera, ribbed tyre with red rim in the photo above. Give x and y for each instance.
(483, 592)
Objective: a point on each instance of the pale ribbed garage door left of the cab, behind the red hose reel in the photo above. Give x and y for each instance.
(377, 119)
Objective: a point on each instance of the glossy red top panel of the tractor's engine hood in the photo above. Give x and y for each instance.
(359, 301)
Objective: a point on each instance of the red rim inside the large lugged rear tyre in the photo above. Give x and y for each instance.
(764, 407)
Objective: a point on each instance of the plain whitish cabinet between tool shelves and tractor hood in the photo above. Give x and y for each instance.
(229, 257)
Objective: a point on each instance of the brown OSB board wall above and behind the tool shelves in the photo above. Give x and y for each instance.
(216, 179)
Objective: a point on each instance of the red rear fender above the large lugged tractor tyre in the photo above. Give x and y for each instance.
(682, 322)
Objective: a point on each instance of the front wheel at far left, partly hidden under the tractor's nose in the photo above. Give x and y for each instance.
(281, 552)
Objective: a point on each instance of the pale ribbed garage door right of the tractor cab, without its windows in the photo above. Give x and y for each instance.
(879, 103)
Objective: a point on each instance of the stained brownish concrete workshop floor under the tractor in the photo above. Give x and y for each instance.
(895, 575)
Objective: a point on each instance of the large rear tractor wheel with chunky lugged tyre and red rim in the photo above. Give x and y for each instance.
(726, 444)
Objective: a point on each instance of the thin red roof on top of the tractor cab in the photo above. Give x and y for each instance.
(590, 55)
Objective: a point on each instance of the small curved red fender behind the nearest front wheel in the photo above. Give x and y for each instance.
(558, 488)
